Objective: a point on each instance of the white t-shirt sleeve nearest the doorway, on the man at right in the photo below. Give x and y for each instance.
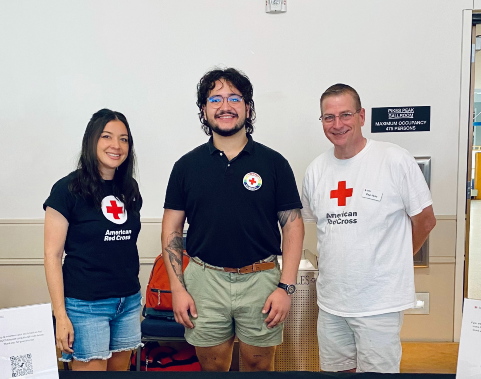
(415, 192)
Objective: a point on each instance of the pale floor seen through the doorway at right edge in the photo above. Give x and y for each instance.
(474, 273)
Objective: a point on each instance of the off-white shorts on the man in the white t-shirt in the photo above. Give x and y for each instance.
(369, 343)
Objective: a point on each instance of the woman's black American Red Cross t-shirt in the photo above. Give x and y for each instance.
(101, 259)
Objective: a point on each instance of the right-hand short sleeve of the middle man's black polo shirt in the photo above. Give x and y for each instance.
(287, 196)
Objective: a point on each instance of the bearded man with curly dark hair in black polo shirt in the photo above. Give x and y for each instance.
(234, 193)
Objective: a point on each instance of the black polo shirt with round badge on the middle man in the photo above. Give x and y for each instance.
(231, 206)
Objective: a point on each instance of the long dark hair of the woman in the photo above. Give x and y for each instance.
(87, 182)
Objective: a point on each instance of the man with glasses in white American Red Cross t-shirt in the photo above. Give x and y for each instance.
(373, 211)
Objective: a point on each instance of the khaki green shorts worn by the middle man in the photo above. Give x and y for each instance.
(231, 303)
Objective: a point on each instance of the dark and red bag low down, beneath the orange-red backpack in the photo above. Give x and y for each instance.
(166, 358)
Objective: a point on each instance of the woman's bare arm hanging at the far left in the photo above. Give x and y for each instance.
(55, 232)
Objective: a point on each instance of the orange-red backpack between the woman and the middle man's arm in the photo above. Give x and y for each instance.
(159, 295)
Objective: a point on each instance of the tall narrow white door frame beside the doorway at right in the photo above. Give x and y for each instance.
(464, 98)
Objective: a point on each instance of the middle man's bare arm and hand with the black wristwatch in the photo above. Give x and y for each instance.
(279, 302)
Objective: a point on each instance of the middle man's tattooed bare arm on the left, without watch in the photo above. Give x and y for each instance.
(172, 250)
